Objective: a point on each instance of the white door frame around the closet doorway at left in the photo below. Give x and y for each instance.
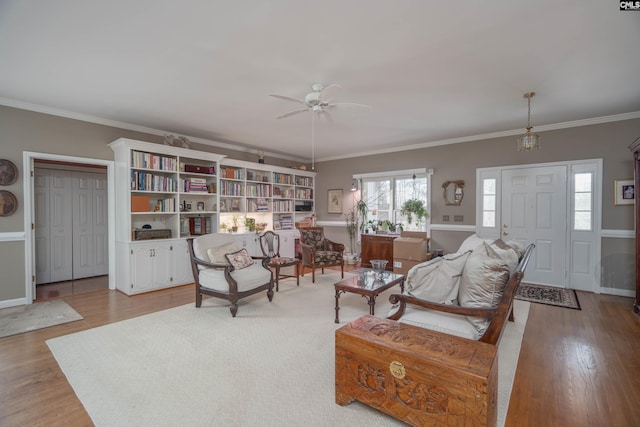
(28, 159)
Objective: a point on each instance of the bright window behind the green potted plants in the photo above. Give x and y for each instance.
(386, 194)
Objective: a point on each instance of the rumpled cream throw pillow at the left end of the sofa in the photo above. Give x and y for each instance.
(437, 280)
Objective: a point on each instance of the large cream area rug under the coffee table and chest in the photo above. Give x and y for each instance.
(272, 365)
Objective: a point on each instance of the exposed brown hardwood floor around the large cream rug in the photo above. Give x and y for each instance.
(576, 368)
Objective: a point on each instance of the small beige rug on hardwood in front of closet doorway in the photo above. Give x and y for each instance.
(27, 318)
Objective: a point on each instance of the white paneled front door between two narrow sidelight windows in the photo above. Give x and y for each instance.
(534, 210)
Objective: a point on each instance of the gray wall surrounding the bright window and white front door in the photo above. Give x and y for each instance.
(608, 141)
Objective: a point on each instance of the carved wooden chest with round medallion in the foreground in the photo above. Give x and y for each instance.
(422, 377)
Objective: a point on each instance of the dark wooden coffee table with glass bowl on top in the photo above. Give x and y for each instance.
(369, 284)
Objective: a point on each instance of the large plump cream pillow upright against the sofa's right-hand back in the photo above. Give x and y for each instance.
(484, 278)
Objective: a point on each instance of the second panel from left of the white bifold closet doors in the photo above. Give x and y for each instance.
(61, 225)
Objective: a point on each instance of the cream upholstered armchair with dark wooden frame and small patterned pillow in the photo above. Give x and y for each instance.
(221, 270)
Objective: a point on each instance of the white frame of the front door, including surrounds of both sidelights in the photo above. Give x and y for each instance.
(595, 166)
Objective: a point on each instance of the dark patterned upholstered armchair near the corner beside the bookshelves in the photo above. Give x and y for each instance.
(319, 252)
